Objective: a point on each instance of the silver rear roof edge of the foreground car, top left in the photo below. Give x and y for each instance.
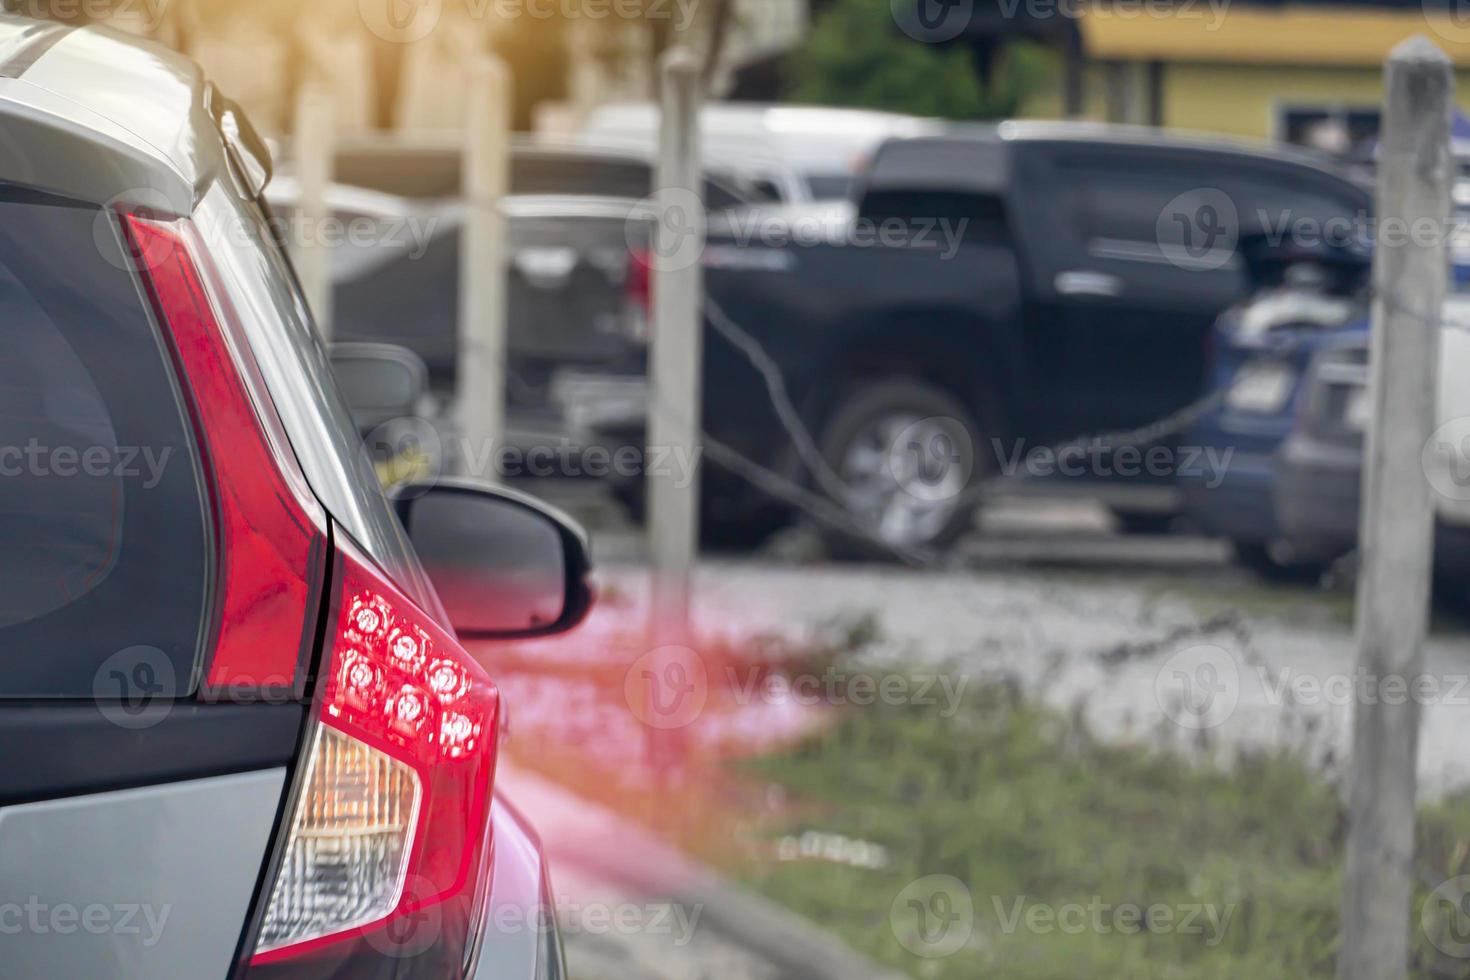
(132, 101)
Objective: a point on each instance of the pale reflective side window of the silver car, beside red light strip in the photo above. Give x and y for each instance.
(283, 337)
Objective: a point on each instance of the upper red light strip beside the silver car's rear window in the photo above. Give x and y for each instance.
(270, 527)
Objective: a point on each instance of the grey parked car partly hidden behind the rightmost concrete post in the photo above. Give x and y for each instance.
(1318, 493)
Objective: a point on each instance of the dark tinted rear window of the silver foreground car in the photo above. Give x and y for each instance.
(104, 552)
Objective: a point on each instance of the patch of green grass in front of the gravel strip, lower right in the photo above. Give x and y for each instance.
(1022, 806)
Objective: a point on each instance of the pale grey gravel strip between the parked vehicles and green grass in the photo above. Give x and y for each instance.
(1118, 652)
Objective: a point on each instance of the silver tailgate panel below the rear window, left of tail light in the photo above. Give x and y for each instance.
(137, 884)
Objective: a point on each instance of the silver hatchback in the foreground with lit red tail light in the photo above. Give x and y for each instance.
(234, 700)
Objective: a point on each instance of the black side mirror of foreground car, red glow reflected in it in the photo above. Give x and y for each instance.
(505, 565)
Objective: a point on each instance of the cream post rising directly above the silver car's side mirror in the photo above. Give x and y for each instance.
(483, 268)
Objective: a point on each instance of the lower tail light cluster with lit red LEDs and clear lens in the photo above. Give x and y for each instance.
(390, 831)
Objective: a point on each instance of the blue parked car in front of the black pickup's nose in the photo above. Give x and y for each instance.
(1259, 356)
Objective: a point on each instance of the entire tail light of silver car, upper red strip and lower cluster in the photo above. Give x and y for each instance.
(389, 831)
